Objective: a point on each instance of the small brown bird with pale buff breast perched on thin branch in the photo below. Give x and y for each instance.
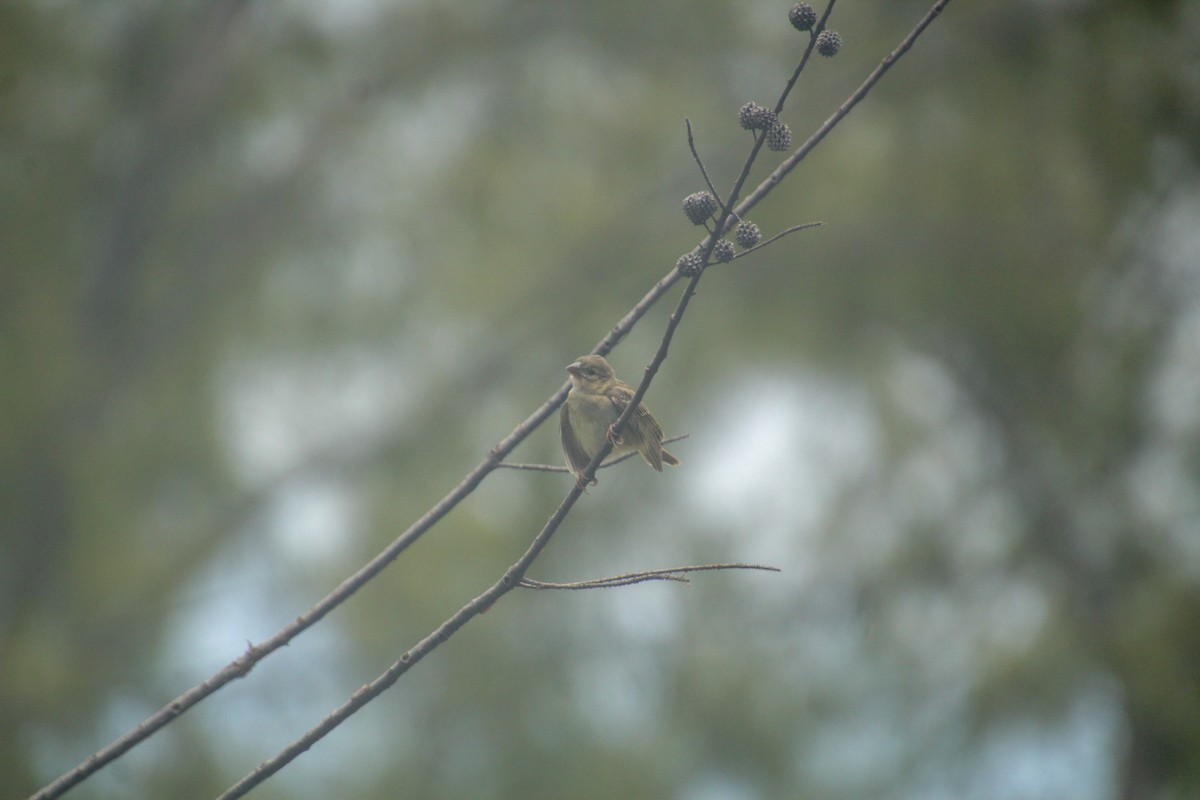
(596, 401)
